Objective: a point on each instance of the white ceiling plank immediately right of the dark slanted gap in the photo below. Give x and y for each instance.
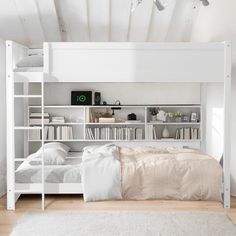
(74, 15)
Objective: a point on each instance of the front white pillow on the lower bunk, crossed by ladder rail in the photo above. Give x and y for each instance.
(52, 156)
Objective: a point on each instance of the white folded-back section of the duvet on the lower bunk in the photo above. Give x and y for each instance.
(101, 173)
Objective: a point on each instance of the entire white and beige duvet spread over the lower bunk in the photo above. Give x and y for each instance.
(109, 172)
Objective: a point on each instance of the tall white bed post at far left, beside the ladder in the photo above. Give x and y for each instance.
(10, 129)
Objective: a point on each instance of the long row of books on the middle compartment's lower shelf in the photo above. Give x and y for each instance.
(115, 133)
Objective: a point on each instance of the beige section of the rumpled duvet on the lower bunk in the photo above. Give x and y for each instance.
(180, 174)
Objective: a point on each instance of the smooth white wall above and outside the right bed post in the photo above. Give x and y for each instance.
(217, 22)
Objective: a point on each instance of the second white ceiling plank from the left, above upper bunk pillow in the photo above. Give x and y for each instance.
(29, 14)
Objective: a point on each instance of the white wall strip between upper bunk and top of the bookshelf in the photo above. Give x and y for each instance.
(128, 93)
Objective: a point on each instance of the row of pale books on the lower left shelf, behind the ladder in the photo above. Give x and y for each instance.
(52, 133)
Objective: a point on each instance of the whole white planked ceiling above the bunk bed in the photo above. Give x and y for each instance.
(32, 22)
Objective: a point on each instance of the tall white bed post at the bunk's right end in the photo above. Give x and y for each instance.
(227, 125)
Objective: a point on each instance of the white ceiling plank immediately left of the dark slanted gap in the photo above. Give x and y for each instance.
(49, 20)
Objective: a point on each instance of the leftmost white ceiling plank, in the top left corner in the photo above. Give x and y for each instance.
(11, 27)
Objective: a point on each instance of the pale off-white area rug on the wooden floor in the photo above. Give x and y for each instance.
(132, 223)
